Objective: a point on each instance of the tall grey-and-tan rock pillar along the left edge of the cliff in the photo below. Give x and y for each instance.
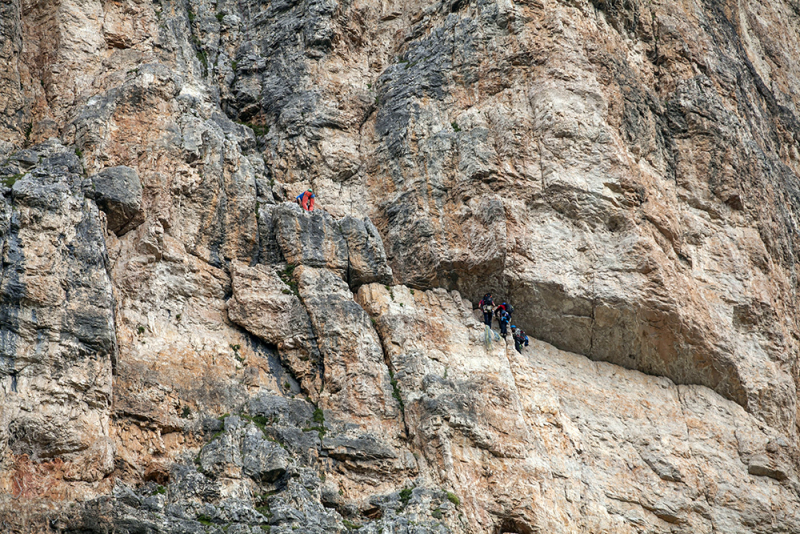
(58, 336)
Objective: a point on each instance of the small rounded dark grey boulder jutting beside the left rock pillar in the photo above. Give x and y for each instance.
(118, 192)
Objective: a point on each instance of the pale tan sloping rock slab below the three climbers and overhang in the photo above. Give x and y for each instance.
(551, 441)
